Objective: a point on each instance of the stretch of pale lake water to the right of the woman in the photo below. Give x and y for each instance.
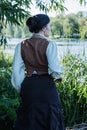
(74, 47)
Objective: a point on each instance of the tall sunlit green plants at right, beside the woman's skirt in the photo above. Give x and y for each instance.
(73, 90)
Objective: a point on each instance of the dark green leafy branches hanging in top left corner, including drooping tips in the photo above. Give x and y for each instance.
(13, 12)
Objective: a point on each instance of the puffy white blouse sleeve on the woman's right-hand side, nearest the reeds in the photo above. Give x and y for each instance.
(54, 66)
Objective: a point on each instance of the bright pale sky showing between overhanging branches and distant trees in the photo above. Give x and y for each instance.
(73, 6)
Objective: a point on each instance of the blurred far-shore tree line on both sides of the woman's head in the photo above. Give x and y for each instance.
(68, 26)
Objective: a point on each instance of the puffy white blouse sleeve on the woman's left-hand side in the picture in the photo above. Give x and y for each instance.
(18, 68)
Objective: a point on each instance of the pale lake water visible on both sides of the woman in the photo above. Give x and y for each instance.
(75, 47)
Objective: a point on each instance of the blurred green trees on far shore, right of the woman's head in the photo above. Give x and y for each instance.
(70, 26)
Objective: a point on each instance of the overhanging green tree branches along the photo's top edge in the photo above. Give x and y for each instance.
(15, 10)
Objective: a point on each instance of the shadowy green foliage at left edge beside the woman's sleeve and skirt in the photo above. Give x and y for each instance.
(9, 99)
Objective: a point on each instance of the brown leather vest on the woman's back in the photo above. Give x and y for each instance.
(33, 52)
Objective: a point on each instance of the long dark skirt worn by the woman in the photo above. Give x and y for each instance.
(40, 107)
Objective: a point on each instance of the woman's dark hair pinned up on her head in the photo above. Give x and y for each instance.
(37, 22)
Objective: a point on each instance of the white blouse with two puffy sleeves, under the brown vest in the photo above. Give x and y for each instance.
(18, 67)
